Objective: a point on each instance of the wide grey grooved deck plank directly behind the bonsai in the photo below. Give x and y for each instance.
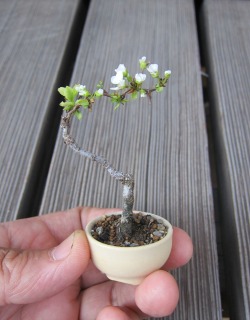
(164, 144)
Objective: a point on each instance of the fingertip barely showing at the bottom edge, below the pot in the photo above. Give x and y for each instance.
(115, 313)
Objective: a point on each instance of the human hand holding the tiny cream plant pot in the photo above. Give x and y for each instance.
(44, 276)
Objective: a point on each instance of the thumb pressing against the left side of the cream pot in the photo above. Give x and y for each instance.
(31, 275)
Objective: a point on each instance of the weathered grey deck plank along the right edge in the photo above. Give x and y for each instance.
(227, 48)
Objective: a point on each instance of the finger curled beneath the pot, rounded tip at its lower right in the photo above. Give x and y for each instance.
(156, 296)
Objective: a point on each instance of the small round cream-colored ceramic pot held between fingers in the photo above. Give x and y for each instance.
(129, 264)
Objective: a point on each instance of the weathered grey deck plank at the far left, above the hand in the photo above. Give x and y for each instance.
(33, 38)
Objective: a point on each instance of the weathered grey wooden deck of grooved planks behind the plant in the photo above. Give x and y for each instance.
(165, 143)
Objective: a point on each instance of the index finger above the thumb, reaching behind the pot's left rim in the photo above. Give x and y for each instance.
(46, 231)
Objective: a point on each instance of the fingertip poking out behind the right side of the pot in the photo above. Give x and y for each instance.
(182, 250)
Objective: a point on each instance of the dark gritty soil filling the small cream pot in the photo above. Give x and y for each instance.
(146, 230)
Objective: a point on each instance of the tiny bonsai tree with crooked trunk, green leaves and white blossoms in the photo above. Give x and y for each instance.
(126, 88)
